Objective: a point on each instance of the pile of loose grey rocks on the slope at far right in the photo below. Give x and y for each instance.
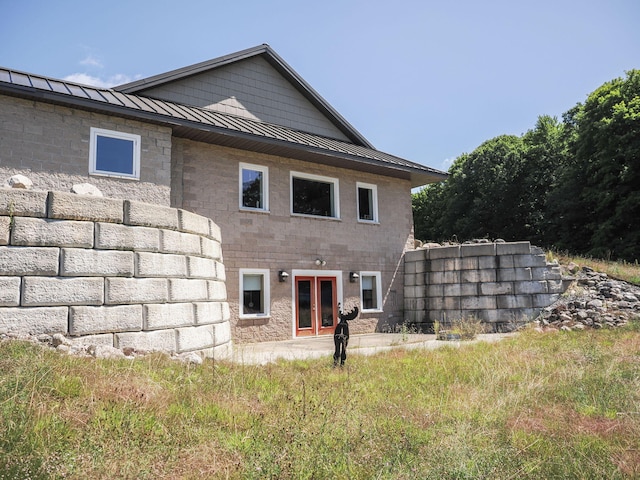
(594, 301)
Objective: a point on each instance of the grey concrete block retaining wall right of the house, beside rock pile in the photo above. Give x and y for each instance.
(501, 284)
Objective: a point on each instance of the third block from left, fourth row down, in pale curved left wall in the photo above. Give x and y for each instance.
(121, 290)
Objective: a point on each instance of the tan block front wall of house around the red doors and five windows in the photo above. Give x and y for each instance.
(277, 240)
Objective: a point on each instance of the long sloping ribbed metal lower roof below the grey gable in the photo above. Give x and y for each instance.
(216, 127)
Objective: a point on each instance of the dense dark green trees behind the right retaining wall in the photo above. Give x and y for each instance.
(572, 185)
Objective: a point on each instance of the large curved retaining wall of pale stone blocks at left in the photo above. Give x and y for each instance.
(116, 272)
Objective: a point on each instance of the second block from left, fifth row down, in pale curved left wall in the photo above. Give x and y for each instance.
(93, 320)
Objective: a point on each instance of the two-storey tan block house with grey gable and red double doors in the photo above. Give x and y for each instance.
(313, 217)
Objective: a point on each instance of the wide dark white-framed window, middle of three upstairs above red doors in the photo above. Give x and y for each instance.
(314, 195)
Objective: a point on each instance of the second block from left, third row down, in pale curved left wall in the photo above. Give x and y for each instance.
(83, 262)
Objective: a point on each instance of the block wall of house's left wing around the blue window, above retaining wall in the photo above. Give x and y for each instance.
(50, 145)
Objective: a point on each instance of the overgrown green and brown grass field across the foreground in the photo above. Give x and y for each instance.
(563, 405)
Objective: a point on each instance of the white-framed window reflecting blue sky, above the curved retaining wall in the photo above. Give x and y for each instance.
(114, 153)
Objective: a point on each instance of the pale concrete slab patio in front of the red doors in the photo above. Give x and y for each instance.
(322, 346)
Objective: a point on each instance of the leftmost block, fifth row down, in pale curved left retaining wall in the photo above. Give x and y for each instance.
(34, 321)
